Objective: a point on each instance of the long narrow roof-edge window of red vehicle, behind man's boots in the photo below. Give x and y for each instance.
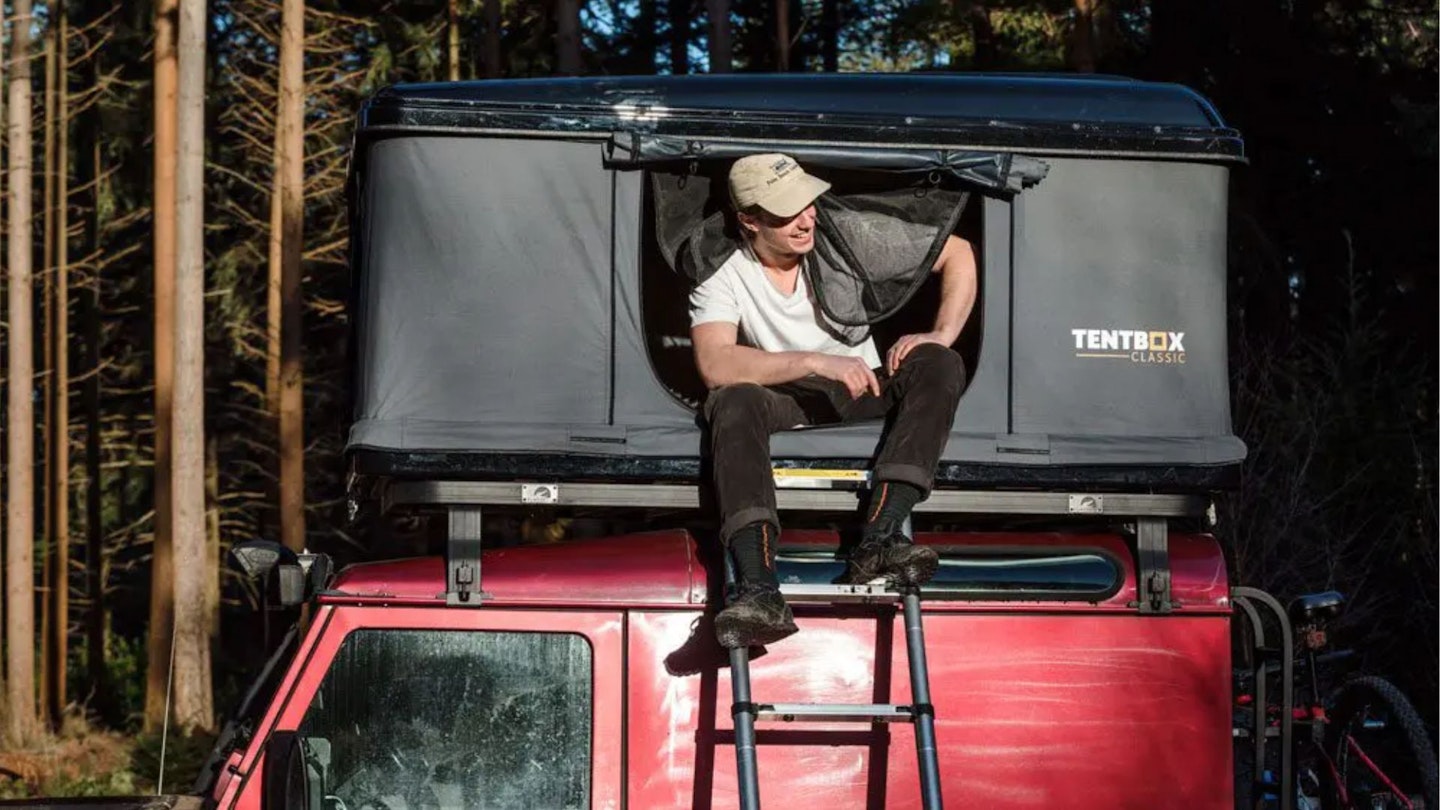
(990, 574)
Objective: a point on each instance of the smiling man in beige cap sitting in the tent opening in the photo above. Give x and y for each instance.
(773, 362)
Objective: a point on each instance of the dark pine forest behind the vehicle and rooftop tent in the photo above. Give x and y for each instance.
(142, 165)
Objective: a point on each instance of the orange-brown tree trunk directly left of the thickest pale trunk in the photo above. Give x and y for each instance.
(162, 566)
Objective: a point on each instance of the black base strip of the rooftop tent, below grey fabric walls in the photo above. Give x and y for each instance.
(644, 469)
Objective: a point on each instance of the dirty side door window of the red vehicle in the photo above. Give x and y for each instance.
(411, 720)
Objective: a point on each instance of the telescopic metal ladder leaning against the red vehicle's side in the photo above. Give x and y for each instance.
(921, 713)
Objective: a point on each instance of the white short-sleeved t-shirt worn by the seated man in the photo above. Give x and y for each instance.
(742, 295)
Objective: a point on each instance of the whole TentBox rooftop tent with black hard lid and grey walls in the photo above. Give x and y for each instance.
(499, 239)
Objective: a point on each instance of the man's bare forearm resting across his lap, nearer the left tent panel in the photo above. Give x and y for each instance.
(722, 361)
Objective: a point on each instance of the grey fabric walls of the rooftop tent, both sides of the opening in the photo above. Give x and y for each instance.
(503, 306)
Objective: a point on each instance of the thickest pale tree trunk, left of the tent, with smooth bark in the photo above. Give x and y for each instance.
(194, 694)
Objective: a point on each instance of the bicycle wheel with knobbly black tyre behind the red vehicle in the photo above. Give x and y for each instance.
(1406, 749)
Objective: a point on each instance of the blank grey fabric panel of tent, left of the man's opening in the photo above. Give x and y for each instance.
(486, 282)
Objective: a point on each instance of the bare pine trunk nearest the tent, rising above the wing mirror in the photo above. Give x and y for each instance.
(292, 192)
